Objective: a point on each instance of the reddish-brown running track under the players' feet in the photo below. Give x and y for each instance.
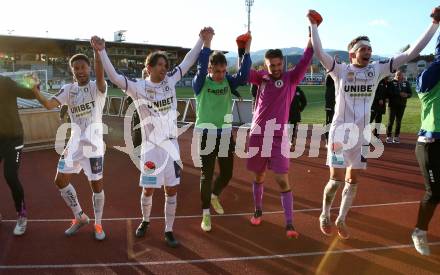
(381, 223)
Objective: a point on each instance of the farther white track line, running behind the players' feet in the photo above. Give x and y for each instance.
(227, 215)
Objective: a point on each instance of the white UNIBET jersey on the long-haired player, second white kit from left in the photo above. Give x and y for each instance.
(156, 104)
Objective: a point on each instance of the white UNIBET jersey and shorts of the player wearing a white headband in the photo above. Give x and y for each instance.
(355, 89)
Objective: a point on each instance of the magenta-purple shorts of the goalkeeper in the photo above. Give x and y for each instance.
(275, 160)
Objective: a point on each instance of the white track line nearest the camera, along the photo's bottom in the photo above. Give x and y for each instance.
(229, 259)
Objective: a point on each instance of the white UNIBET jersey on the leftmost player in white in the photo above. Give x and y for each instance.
(85, 107)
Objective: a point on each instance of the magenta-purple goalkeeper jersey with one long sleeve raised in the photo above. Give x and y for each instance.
(274, 96)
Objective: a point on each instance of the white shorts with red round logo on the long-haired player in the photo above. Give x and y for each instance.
(160, 165)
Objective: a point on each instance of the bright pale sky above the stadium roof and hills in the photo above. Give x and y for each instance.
(274, 23)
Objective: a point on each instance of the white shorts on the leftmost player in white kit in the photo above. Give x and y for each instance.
(93, 167)
